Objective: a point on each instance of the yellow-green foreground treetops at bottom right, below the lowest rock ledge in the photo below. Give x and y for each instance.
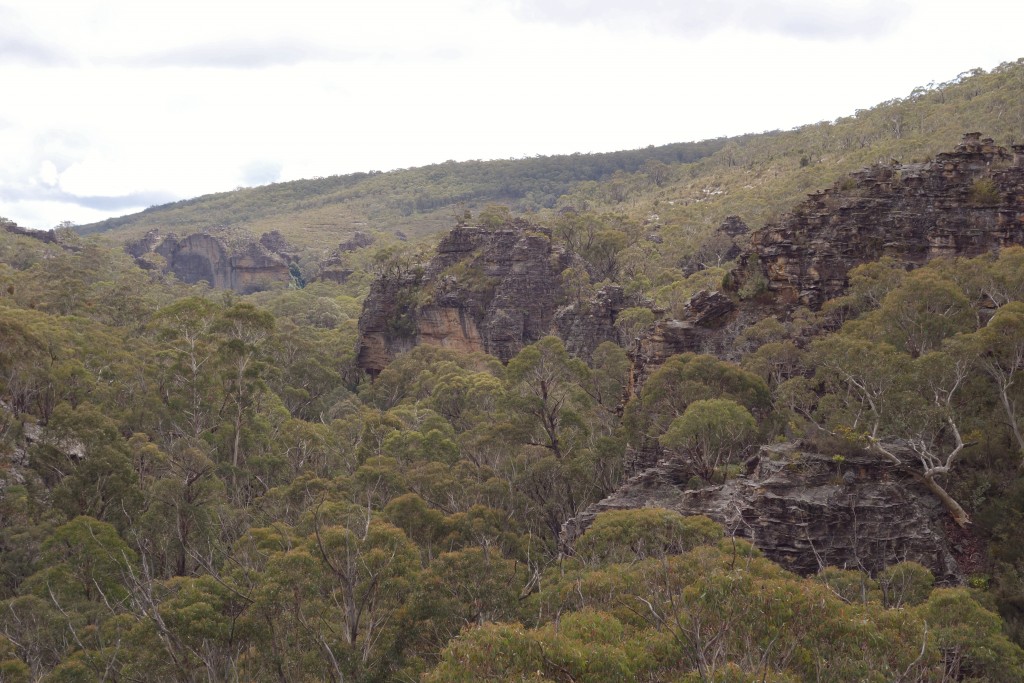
(703, 616)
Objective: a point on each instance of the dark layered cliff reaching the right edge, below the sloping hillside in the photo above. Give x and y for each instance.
(963, 203)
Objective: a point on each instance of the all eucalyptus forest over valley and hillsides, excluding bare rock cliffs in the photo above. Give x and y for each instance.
(200, 486)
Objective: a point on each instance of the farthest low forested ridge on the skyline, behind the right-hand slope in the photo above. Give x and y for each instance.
(416, 201)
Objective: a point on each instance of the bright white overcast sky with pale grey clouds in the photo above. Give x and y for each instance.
(109, 107)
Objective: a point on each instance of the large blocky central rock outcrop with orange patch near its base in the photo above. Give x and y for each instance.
(493, 290)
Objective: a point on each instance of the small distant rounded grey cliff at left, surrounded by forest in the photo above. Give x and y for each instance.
(246, 267)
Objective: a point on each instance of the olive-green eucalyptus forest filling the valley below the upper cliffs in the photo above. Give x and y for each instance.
(200, 487)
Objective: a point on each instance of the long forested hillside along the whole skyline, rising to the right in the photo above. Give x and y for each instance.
(684, 191)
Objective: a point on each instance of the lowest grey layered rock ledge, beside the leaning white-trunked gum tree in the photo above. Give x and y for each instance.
(805, 510)
